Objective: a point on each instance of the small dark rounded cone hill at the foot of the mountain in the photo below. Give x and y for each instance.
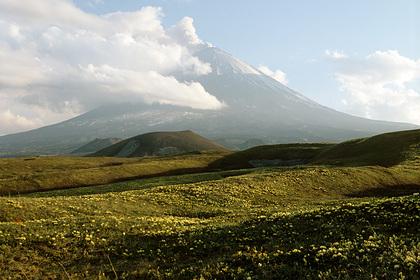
(161, 143)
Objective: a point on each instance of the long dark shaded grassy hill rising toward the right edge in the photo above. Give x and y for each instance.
(384, 150)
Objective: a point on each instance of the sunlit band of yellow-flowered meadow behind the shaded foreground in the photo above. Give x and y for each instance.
(257, 191)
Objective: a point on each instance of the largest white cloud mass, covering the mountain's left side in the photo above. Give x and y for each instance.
(57, 60)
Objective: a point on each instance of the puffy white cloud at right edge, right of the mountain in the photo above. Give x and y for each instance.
(381, 86)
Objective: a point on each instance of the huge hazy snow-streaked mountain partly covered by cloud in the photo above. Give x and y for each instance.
(257, 107)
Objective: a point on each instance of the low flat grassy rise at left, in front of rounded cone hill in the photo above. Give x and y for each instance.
(22, 175)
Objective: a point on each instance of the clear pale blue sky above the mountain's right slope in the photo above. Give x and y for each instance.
(294, 35)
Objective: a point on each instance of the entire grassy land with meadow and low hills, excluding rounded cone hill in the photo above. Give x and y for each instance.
(353, 216)
